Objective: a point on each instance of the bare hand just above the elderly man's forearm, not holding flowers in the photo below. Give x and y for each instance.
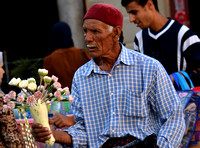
(62, 120)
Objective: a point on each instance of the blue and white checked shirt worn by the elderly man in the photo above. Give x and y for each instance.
(136, 98)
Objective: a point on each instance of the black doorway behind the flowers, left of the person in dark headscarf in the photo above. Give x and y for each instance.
(25, 35)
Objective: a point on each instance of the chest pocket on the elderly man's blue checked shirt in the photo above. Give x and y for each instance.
(135, 104)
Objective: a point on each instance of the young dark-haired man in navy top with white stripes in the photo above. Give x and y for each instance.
(165, 39)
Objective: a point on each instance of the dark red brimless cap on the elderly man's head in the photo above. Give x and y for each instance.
(105, 13)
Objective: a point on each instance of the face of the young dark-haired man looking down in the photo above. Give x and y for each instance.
(139, 15)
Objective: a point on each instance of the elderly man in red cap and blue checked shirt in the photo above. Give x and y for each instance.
(120, 96)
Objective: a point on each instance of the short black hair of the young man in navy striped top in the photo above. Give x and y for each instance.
(140, 2)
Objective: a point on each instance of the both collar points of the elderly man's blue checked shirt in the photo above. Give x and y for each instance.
(124, 57)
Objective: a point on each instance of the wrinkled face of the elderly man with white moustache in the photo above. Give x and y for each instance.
(98, 37)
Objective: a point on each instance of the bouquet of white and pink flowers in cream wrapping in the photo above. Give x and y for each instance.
(36, 98)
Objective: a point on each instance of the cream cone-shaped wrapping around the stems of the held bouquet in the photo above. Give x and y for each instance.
(39, 113)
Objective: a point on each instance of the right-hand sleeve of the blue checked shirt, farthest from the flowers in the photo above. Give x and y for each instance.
(170, 111)
